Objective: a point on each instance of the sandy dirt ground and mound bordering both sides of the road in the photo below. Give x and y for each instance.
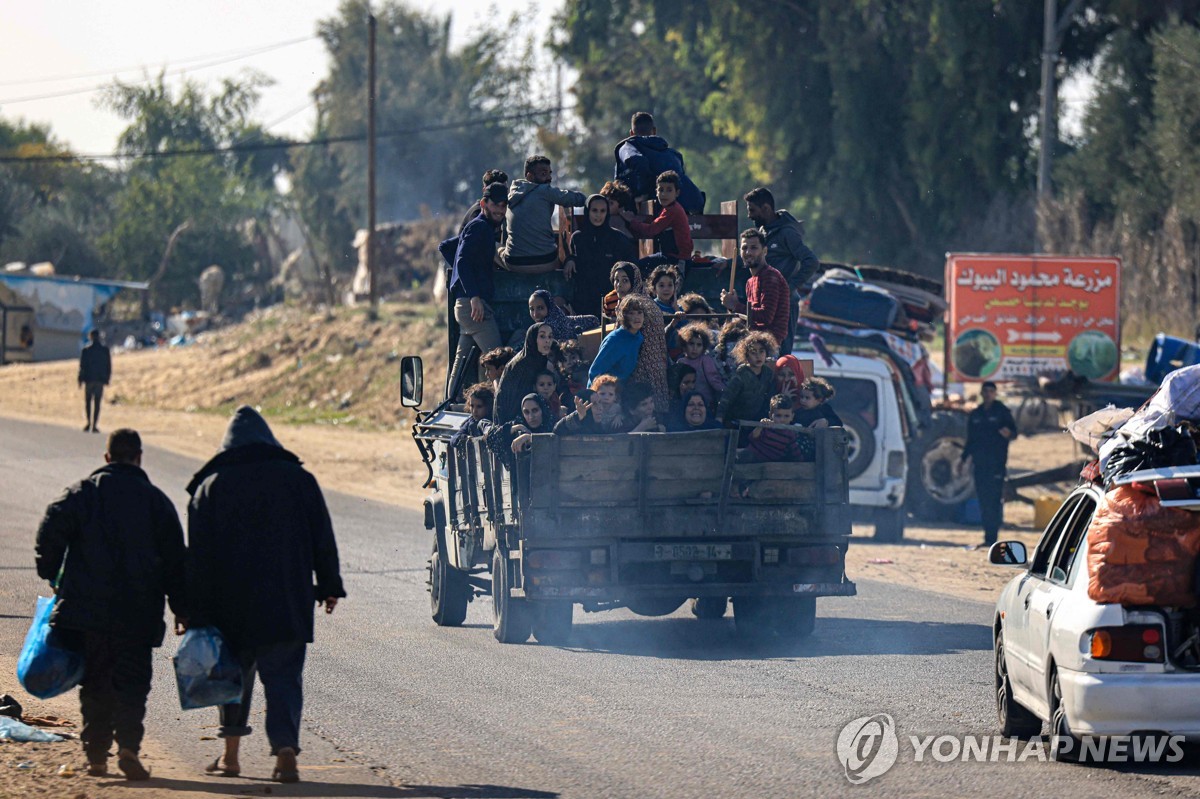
(329, 387)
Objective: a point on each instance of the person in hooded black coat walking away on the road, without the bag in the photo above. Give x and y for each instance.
(259, 531)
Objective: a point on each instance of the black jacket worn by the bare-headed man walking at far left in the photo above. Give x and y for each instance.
(124, 550)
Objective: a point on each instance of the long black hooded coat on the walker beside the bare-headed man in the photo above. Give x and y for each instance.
(257, 532)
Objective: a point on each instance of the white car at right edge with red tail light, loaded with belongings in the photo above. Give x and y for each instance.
(1089, 669)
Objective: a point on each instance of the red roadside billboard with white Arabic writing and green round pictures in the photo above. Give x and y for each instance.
(1021, 316)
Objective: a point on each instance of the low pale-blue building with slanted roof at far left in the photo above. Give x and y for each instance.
(47, 317)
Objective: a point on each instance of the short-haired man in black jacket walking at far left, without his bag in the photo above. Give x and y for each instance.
(123, 549)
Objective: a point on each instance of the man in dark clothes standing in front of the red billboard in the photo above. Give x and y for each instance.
(991, 428)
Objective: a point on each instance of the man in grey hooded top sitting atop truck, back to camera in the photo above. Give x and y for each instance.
(531, 248)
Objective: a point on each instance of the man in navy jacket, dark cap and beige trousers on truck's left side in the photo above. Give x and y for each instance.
(471, 281)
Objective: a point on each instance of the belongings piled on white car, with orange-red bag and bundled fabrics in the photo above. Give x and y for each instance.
(1138, 551)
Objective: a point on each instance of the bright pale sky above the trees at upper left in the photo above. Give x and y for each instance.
(63, 47)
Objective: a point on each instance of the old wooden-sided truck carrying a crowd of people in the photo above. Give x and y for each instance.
(638, 521)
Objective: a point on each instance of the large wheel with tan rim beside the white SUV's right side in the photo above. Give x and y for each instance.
(939, 483)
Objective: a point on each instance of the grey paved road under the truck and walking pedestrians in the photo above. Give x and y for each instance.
(632, 708)
